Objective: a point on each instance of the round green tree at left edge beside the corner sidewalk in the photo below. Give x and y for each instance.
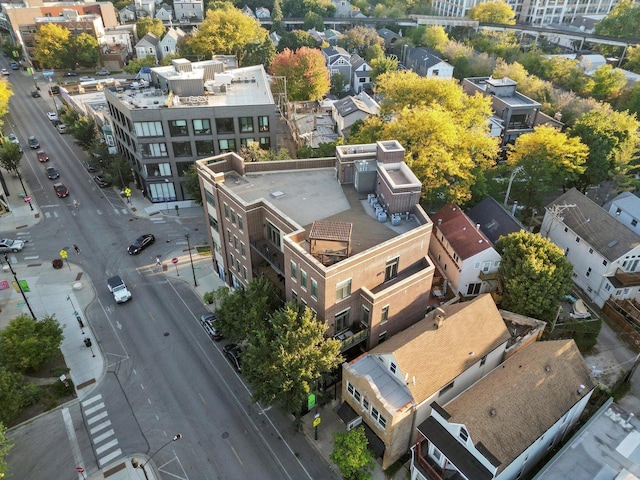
(27, 345)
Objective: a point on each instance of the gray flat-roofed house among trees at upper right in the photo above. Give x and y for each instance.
(516, 112)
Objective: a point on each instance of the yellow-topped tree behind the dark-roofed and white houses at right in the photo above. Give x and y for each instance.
(549, 159)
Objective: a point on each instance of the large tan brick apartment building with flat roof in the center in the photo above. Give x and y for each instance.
(345, 236)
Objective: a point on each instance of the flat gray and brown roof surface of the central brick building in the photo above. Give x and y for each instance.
(306, 196)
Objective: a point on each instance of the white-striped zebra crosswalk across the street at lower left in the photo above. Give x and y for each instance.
(103, 438)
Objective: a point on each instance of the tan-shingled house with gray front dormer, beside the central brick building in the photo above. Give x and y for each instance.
(391, 388)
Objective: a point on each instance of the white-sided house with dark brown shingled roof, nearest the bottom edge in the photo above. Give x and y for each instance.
(503, 425)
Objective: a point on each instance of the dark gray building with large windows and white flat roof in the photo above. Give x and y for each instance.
(188, 111)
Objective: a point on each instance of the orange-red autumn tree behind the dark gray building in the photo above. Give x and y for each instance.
(305, 71)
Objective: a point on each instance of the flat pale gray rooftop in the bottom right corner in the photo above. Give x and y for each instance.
(585, 453)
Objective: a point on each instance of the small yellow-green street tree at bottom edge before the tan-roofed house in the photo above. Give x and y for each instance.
(351, 454)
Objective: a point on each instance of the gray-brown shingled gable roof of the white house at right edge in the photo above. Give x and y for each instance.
(588, 220)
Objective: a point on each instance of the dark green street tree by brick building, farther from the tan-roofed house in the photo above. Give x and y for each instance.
(243, 312)
